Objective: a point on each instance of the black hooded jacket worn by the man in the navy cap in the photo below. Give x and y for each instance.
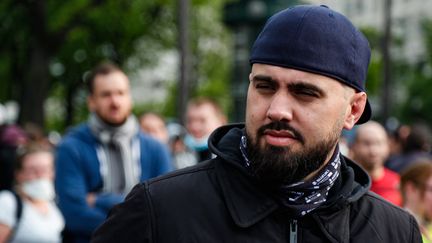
(218, 201)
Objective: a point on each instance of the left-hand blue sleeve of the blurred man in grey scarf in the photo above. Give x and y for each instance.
(72, 190)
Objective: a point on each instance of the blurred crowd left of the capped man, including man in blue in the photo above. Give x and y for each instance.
(61, 191)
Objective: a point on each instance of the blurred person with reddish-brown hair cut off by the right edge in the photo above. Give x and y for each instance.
(416, 187)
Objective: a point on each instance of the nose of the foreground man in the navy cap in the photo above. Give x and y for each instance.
(280, 108)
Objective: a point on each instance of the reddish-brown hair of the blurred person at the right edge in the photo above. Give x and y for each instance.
(417, 174)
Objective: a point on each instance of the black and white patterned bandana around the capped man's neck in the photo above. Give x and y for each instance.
(303, 197)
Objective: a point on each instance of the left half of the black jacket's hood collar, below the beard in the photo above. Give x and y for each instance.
(246, 203)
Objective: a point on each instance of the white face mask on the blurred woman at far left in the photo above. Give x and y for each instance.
(39, 189)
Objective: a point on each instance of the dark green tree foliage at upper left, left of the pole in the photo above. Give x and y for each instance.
(70, 37)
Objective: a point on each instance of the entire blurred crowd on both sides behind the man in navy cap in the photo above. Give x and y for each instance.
(61, 192)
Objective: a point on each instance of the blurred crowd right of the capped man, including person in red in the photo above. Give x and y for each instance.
(399, 163)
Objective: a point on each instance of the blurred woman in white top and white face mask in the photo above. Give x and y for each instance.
(40, 221)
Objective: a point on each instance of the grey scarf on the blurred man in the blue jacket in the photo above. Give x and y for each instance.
(118, 154)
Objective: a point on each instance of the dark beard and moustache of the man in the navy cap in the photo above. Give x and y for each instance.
(275, 166)
